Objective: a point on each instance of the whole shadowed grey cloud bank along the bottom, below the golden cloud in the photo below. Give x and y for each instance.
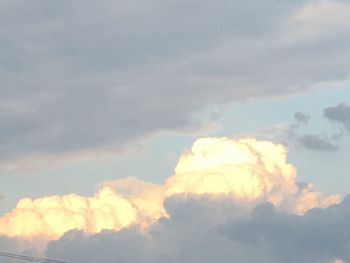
(207, 230)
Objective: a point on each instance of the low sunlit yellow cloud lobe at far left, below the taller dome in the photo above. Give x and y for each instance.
(50, 217)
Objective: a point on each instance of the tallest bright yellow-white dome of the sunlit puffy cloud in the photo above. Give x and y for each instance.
(247, 169)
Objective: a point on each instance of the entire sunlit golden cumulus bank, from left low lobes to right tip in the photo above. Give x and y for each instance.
(243, 170)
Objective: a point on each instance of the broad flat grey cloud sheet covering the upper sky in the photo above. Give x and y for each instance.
(84, 78)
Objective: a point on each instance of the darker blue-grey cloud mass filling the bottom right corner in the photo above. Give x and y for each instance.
(318, 236)
